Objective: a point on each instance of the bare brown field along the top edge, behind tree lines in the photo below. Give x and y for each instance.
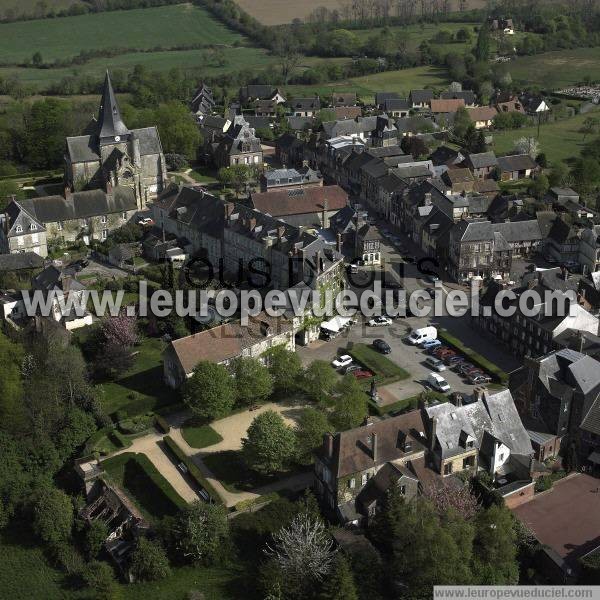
(279, 12)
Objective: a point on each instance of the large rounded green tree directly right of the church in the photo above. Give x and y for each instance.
(178, 129)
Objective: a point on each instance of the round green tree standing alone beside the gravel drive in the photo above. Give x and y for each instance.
(270, 443)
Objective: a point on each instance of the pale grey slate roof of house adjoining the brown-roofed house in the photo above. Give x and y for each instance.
(494, 414)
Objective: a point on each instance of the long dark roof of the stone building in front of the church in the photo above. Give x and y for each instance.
(81, 205)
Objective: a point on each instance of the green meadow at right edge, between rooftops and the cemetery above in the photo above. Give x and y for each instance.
(559, 141)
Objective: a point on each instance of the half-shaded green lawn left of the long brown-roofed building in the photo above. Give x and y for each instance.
(141, 389)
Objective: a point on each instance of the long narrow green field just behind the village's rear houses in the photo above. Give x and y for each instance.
(390, 81)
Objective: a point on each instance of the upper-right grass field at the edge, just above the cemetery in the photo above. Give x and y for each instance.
(552, 70)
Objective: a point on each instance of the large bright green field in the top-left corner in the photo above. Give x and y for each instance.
(141, 29)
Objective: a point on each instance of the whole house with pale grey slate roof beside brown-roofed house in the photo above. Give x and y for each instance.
(485, 433)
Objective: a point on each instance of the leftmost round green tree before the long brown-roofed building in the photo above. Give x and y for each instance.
(209, 392)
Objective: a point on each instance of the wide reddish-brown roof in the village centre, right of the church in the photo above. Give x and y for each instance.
(295, 201)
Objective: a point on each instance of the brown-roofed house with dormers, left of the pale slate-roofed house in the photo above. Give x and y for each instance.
(354, 469)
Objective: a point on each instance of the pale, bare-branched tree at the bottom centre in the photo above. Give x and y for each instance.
(304, 552)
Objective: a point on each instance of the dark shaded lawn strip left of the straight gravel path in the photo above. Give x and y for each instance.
(139, 478)
